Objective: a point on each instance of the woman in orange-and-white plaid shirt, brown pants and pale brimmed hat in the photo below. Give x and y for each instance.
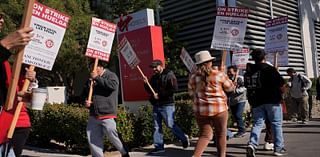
(207, 88)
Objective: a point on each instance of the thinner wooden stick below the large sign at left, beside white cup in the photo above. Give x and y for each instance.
(18, 109)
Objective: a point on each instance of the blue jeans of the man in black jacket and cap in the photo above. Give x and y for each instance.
(167, 114)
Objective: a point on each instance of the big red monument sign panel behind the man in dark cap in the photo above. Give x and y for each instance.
(148, 46)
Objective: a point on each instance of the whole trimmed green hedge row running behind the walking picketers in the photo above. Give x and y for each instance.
(66, 124)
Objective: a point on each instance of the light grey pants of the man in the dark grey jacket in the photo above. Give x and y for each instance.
(96, 129)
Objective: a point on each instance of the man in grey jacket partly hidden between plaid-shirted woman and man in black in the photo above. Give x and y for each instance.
(237, 99)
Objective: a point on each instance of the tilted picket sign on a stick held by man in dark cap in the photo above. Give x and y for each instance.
(131, 58)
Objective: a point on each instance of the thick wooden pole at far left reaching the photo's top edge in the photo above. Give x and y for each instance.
(18, 62)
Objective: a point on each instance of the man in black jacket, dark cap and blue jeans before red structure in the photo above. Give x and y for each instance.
(164, 83)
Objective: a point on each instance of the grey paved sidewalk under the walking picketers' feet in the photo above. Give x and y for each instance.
(301, 140)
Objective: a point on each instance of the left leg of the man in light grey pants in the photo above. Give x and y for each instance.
(95, 136)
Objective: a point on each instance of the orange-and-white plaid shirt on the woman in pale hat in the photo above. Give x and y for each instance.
(210, 99)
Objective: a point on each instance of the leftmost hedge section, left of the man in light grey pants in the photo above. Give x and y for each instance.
(65, 124)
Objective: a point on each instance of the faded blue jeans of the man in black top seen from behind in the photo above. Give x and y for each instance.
(272, 112)
